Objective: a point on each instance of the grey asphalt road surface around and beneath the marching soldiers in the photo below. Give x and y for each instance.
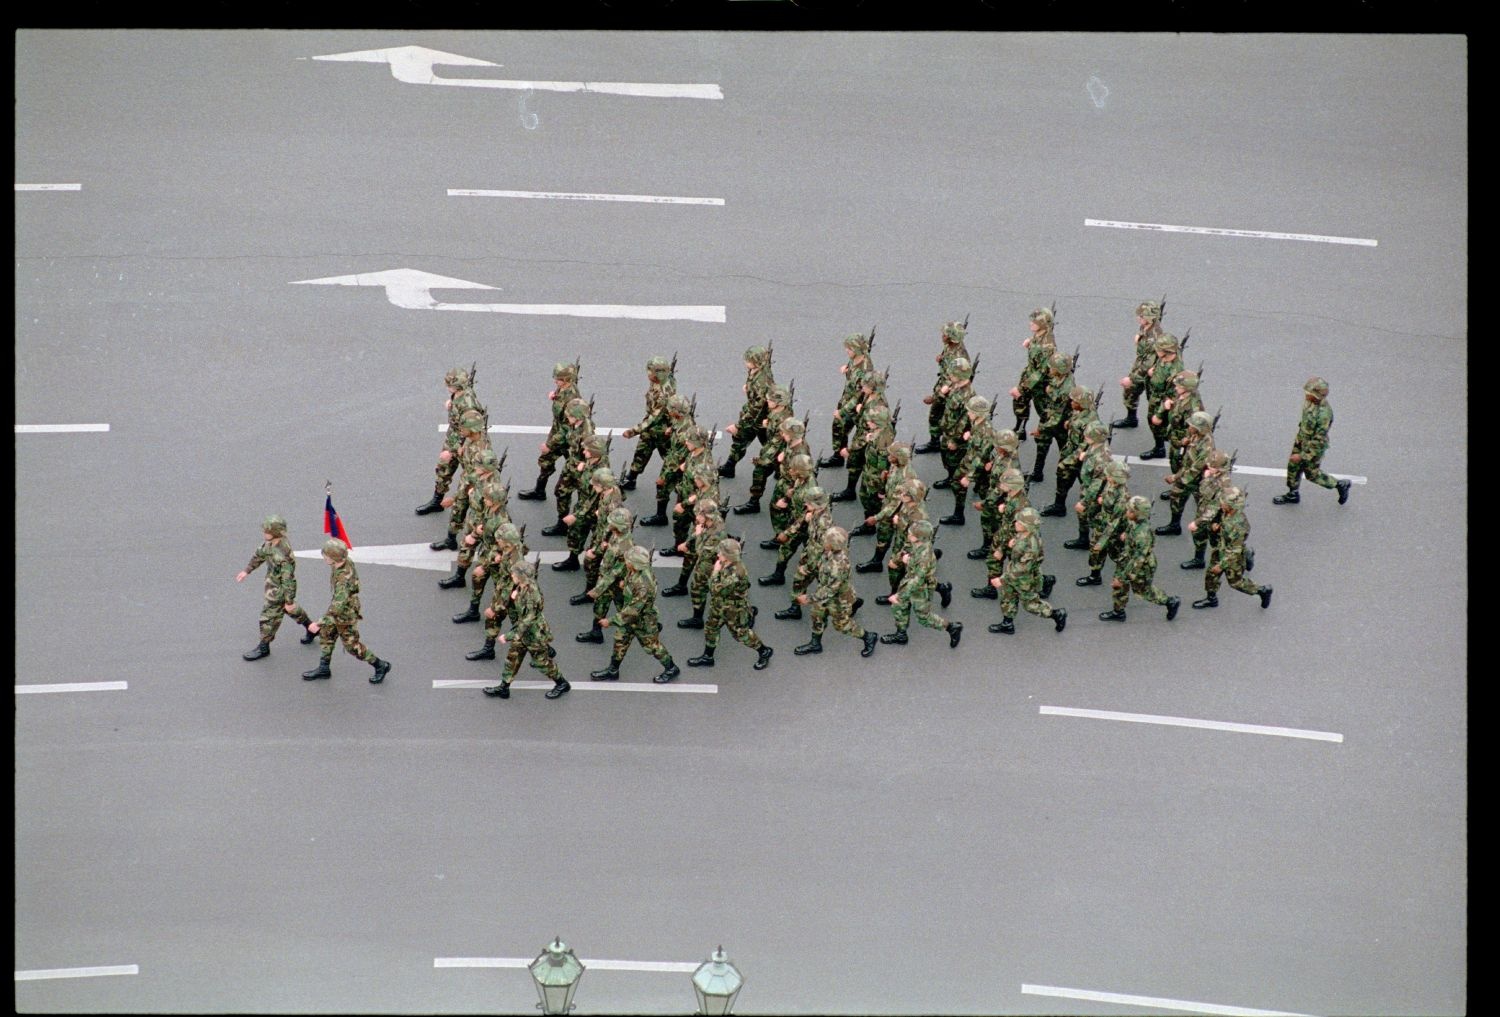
(914, 833)
